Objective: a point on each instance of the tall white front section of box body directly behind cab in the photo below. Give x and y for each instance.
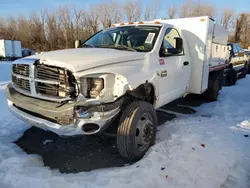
(195, 31)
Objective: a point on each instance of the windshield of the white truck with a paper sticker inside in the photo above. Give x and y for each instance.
(132, 38)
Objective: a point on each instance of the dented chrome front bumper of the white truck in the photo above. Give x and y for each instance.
(46, 115)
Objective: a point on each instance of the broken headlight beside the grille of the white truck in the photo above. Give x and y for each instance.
(92, 87)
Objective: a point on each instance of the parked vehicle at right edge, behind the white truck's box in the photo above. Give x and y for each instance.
(237, 63)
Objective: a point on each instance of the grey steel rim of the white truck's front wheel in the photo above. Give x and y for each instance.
(144, 132)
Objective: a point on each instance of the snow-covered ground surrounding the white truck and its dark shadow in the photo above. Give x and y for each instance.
(177, 159)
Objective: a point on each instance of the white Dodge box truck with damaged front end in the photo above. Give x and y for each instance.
(124, 72)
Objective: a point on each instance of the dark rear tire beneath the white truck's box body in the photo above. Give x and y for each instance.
(212, 92)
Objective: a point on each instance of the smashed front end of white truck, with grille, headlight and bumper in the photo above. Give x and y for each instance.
(53, 98)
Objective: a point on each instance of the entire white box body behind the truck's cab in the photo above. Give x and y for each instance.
(206, 43)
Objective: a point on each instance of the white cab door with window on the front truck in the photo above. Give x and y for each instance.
(174, 68)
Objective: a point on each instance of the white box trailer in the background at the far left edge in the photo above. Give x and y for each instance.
(10, 49)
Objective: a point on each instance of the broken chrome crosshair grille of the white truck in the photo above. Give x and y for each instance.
(44, 81)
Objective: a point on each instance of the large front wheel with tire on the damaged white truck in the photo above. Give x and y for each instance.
(138, 117)
